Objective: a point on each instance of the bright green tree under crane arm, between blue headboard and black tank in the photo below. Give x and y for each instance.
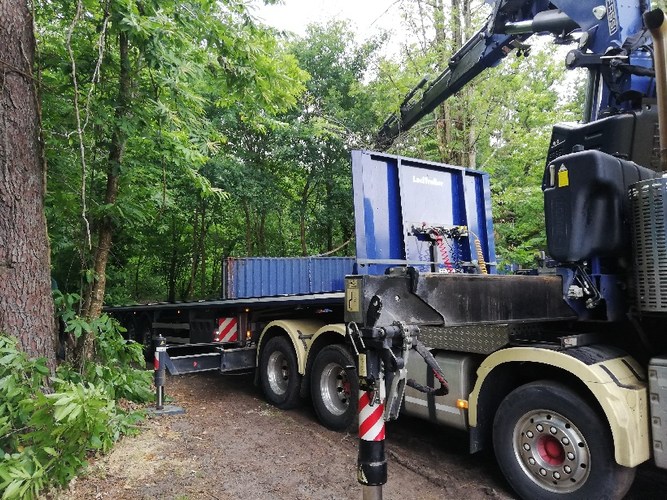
(516, 147)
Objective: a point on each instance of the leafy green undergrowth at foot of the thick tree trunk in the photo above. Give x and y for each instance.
(50, 424)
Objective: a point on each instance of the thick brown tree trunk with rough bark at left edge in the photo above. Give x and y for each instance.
(26, 306)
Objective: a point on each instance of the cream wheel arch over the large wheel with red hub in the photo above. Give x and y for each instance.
(614, 386)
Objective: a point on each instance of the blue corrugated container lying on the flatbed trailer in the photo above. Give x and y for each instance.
(251, 277)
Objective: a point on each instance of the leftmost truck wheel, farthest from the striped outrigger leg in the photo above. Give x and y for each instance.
(278, 373)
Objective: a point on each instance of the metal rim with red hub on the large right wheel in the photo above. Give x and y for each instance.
(552, 451)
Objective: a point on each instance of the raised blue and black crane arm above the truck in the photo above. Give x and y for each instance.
(605, 31)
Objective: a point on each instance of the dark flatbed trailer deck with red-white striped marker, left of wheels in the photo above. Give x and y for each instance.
(217, 334)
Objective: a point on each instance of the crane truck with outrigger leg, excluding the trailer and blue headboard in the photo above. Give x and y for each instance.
(563, 375)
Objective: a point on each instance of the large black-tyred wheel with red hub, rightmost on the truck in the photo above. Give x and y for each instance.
(551, 444)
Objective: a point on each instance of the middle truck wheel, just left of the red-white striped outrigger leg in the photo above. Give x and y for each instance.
(334, 388)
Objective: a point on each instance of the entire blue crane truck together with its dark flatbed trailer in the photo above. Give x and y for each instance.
(563, 375)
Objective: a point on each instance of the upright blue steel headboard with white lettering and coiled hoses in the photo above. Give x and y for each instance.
(396, 198)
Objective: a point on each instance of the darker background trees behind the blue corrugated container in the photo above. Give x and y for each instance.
(284, 172)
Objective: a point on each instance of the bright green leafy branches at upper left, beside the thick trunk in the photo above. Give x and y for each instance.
(190, 65)
